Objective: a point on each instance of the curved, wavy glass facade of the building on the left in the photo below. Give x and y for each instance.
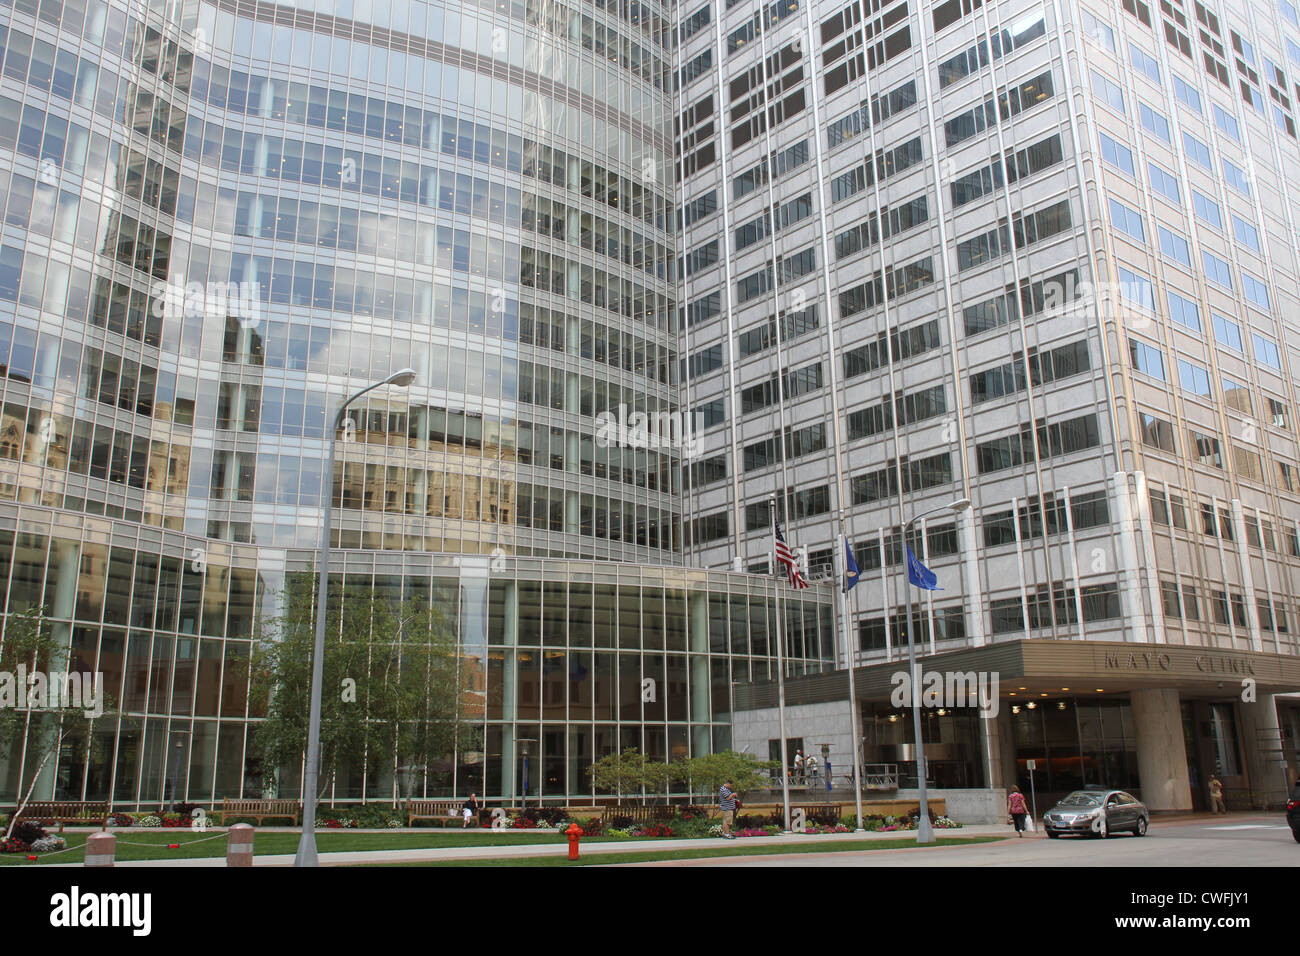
(220, 220)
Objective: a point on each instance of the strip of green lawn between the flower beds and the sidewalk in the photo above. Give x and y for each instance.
(155, 843)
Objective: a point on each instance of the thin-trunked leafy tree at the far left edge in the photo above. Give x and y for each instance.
(42, 711)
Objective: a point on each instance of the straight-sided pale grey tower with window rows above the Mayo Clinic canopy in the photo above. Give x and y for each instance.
(1043, 256)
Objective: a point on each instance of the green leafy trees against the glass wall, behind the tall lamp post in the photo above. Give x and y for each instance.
(392, 689)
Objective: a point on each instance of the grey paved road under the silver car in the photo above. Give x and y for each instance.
(1238, 841)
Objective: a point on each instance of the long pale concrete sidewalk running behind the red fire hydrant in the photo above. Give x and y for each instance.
(441, 854)
